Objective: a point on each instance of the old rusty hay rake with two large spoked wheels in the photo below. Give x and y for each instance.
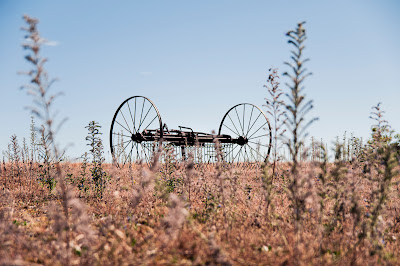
(137, 132)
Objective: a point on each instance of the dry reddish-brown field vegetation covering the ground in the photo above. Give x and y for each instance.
(183, 213)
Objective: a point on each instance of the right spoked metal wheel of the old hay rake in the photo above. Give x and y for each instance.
(250, 126)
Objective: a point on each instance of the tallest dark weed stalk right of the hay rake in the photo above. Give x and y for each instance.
(297, 108)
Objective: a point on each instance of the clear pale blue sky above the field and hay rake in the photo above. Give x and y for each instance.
(196, 59)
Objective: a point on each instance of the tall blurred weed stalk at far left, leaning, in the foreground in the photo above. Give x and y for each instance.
(39, 88)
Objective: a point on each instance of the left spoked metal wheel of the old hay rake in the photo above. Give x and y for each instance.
(136, 131)
